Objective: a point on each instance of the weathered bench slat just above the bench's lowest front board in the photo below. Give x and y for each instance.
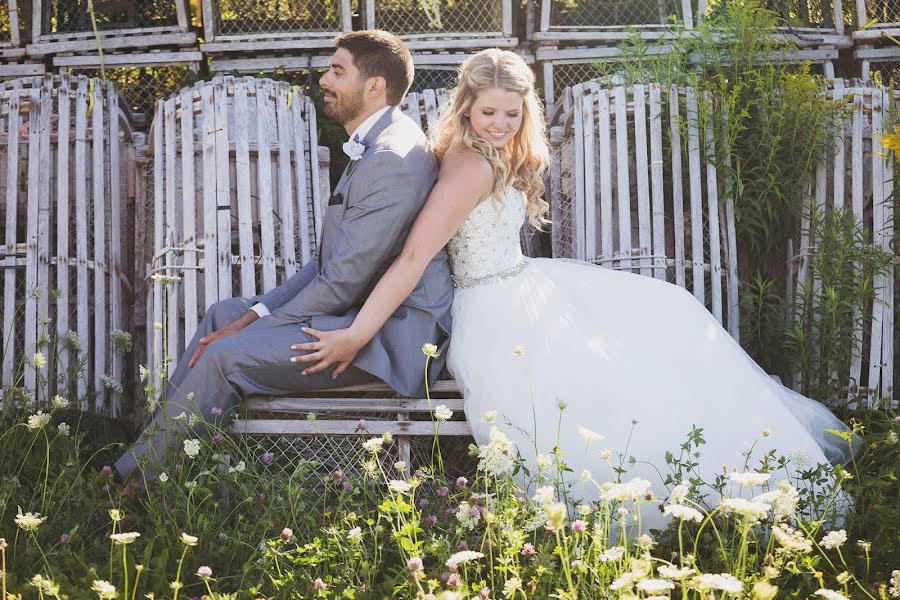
(301, 405)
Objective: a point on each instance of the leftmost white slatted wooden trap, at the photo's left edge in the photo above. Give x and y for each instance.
(67, 166)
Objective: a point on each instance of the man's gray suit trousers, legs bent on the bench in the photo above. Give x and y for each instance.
(256, 360)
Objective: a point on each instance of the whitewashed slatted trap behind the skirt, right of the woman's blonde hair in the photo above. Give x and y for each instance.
(628, 192)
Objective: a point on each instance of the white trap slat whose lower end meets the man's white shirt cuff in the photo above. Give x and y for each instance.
(244, 200)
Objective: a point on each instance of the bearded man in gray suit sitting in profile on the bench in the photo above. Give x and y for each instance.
(243, 346)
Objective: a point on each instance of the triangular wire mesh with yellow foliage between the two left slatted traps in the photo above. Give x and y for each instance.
(142, 86)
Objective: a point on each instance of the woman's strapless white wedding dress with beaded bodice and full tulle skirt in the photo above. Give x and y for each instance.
(635, 359)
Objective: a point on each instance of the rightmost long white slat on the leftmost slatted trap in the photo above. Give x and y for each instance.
(115, 238)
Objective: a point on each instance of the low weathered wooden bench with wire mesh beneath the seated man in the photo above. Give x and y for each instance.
(330, 426)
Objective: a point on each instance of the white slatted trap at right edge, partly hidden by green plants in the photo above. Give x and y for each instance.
(858, 176)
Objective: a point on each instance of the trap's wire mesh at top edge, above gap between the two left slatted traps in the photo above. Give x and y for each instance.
(69, 16)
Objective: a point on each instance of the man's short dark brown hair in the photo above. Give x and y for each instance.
(378, 53)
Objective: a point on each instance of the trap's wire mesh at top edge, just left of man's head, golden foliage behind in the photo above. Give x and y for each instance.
(236, 17)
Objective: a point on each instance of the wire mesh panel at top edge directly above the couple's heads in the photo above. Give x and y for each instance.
(439, 16)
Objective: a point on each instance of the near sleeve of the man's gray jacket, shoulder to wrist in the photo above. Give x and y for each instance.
(375, 222)
